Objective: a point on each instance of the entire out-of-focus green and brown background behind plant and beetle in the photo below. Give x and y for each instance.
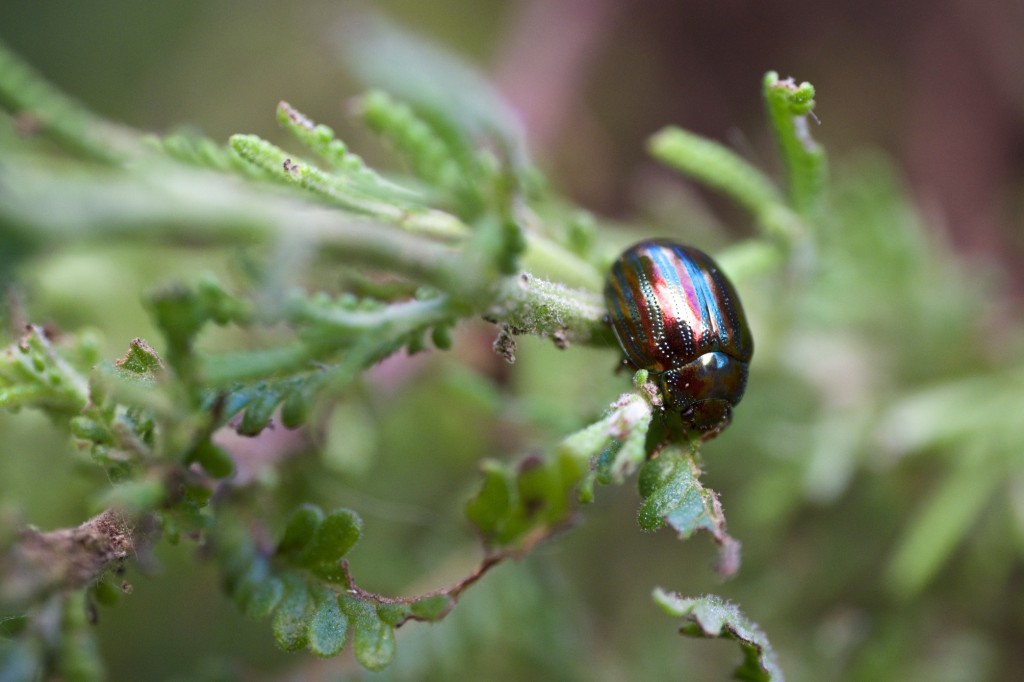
(875, 473)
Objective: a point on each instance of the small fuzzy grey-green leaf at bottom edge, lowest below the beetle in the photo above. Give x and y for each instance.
(710, 617)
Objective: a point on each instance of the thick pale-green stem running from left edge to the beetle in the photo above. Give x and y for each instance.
(207, 208)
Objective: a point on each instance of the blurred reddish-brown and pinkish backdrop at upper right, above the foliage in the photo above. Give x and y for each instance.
(937, 84)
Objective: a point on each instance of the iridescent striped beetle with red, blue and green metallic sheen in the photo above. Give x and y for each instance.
(677, 316)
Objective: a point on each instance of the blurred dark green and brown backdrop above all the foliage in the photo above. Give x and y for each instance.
(937, 84)
